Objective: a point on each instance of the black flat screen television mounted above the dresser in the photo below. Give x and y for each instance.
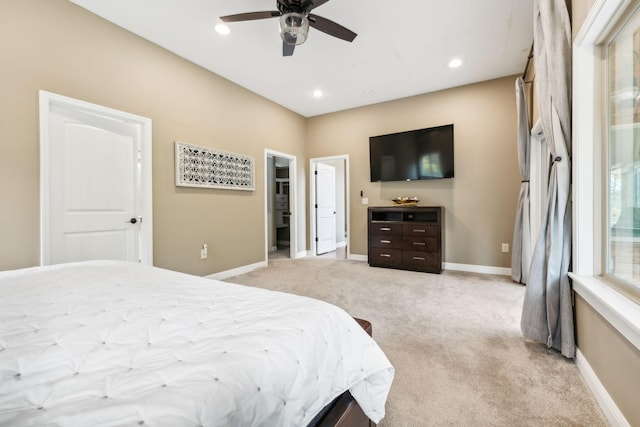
(412, 155)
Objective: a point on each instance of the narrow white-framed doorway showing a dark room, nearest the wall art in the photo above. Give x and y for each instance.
(280, 205)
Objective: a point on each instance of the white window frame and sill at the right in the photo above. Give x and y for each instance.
(590, 169)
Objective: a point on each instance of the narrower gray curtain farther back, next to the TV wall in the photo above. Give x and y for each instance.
(521, 247)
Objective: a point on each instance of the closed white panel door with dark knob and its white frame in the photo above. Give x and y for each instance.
(94, 204)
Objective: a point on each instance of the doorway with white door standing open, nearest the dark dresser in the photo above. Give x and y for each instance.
(329, 210)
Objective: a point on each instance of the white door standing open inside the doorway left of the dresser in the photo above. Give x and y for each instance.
(325, 208)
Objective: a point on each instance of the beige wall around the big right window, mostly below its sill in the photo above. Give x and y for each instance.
(612, 357)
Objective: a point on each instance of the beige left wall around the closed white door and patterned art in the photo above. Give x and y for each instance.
(56, 46)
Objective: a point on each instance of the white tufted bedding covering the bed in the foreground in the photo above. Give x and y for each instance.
(113, 343)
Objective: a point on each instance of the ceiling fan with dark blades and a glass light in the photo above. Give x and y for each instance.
(295, 20)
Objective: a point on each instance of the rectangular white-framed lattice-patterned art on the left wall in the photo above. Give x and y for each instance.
(206, 167)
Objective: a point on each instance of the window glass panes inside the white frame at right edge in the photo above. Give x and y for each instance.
(622, 216)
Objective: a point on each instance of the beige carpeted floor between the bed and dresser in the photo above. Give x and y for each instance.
(454, 340)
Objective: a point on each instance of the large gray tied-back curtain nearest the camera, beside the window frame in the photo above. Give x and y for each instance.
(547, 314)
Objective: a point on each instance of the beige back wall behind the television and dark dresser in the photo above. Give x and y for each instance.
(481, 200)
